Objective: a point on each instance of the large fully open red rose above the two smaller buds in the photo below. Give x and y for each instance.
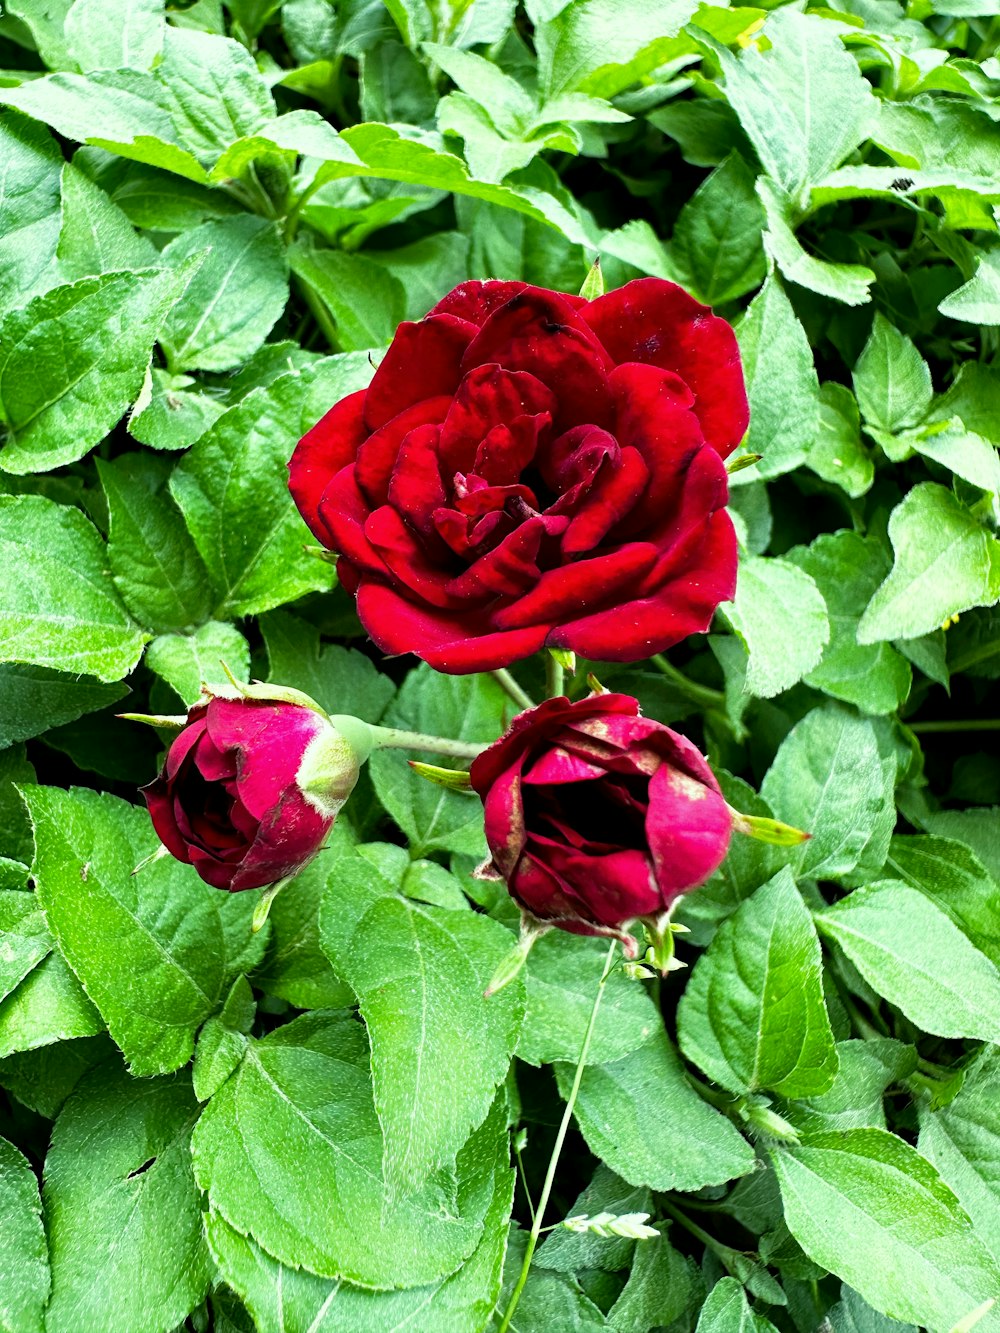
(531, 470)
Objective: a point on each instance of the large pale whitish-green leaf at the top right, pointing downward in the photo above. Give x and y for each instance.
(805, 103)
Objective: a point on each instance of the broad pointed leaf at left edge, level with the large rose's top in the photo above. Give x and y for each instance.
(74, 361)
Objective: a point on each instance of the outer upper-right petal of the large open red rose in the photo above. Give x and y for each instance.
(658, 323)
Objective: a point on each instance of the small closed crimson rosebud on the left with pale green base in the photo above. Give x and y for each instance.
(253, 784)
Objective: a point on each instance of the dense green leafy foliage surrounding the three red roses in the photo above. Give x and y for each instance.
(211, 221)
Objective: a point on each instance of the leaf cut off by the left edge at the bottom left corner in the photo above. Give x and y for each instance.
(25, 1274)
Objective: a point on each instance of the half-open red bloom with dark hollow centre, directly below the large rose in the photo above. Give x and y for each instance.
(597, 816)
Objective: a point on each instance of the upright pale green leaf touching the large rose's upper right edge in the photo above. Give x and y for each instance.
(782, 385)
